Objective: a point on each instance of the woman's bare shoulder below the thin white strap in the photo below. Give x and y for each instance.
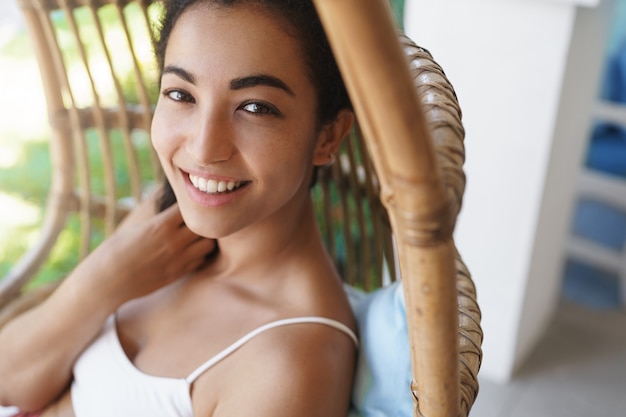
(303, 370)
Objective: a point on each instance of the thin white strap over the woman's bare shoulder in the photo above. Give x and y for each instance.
(295, 320)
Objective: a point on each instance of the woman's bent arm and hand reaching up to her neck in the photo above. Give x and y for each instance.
(38, 349)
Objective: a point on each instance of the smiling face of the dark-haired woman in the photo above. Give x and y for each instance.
(235, 126)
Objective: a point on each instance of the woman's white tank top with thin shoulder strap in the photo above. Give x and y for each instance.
(106, 383)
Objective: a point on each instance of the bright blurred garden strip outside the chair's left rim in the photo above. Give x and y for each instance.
(24, 162)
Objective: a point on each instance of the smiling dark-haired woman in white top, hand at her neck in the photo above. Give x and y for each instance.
(251, 102)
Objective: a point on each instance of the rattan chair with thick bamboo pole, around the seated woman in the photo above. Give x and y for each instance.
(387, 185)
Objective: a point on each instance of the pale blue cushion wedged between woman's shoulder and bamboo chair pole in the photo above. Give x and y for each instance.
(382, 386)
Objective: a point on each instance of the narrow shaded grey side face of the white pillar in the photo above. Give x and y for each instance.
(569, 142)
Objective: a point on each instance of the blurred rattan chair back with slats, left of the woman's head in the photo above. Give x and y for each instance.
(99, 80)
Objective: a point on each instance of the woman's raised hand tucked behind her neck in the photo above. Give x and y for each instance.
(144, 256)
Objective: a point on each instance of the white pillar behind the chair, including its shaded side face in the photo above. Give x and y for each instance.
(507, 61)
